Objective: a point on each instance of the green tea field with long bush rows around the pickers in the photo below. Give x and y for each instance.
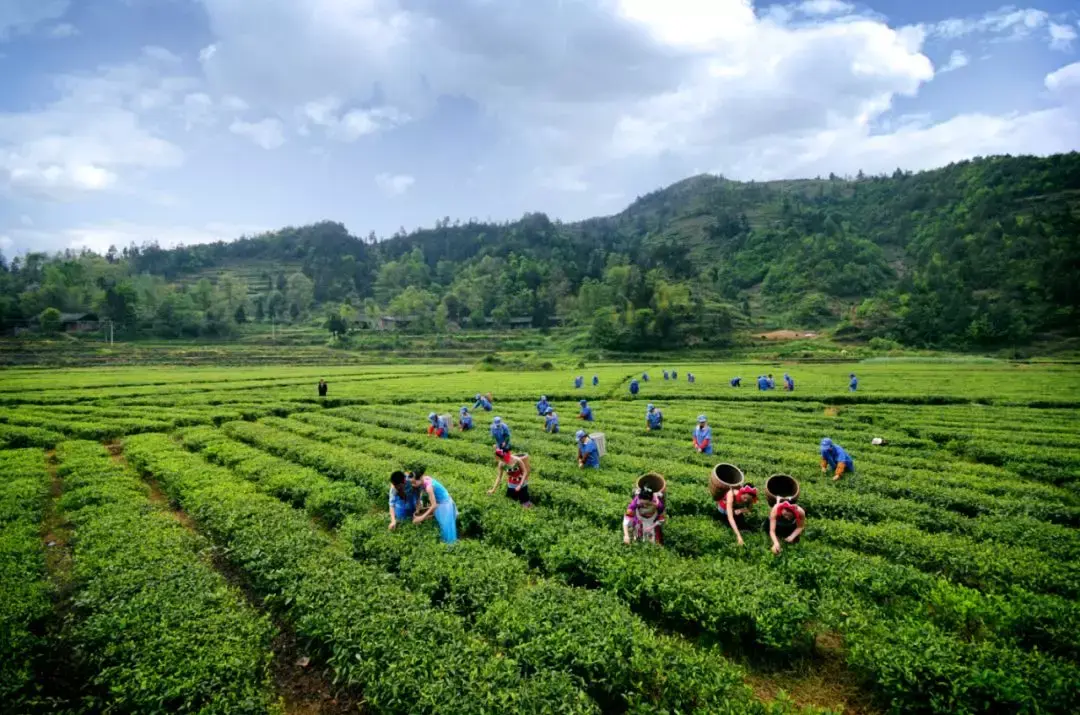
(212, 539)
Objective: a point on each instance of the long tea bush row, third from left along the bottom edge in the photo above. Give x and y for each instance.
(407, 656)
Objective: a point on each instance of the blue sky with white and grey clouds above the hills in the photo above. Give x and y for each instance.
(187, 122)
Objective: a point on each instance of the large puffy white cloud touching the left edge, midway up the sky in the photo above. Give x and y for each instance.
(83, 142)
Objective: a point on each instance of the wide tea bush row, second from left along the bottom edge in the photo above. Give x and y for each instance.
(155, 628)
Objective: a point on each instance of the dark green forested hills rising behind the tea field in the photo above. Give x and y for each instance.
(979, 253)
